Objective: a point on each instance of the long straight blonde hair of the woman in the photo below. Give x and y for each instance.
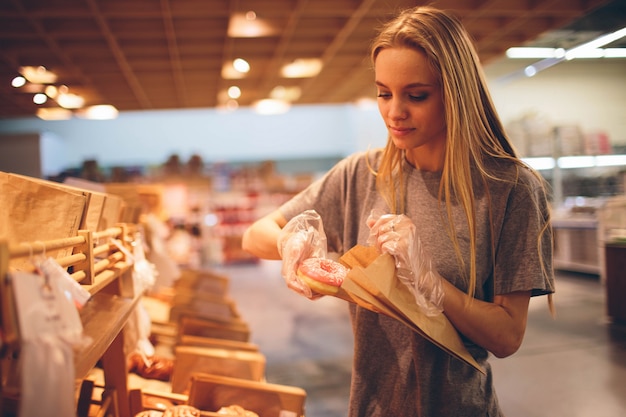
(474, 130)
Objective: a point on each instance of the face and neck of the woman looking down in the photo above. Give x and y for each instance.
(410, 102)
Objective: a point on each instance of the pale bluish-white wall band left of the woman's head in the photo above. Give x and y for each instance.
(150, 137)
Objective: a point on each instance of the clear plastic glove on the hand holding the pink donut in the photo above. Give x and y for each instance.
(302, 237)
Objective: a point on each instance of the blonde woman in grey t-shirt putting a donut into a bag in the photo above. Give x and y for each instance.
(465, 219)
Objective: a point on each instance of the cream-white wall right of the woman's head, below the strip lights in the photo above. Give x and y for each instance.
(589, 93)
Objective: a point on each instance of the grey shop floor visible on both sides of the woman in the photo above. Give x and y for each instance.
(573, 365)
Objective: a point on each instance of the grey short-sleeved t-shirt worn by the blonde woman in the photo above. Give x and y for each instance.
(396, 372)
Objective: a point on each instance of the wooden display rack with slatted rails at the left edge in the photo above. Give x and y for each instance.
(103, 270)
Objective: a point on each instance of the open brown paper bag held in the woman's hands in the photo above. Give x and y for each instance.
(372, 284)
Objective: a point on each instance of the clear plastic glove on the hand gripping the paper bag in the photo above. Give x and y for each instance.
(396, 235)
